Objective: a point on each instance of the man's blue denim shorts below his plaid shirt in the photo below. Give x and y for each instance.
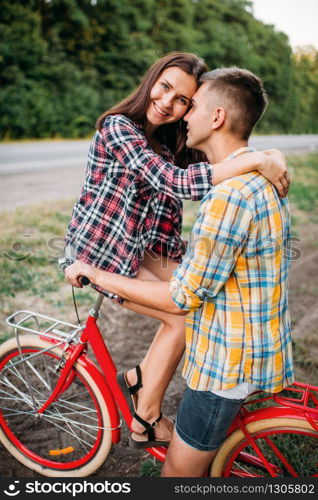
(204, 419)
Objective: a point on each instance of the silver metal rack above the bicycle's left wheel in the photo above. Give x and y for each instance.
(44, 326)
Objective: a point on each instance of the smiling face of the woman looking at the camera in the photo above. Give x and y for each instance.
(170, 97)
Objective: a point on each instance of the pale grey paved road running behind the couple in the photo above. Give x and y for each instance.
(46, 170)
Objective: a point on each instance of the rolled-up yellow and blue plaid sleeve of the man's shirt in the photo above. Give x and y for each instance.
(217, 240)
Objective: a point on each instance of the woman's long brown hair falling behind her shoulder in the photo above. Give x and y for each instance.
(135, 105)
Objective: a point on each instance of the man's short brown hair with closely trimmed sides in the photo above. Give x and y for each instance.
(243, 92)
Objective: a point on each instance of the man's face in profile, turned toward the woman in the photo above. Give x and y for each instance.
(199, 118)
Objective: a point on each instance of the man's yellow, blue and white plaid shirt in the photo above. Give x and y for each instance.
(234, 282)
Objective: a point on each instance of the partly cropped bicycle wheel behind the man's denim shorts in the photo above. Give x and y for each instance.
(289, 444)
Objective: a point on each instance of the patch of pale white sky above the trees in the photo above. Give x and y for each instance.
(298, 19)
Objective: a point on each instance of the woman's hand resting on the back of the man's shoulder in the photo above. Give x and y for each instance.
(274, 168)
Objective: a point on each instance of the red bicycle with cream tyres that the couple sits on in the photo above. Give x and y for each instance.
(59, 411)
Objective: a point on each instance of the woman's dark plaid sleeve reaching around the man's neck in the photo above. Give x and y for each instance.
(128, 144)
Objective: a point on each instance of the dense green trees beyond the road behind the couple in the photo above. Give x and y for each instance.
(63, 62)
